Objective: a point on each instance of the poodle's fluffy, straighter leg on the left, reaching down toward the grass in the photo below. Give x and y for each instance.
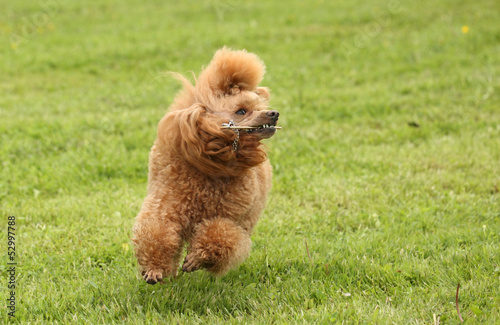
(158, 247)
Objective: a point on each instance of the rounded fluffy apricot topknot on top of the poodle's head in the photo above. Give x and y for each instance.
(229, 72)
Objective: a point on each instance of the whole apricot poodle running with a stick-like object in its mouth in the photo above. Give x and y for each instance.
(209, 175)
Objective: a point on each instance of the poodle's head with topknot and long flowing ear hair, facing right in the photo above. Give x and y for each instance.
(226, 90)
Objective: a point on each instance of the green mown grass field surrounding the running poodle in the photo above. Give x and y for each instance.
(388, 164)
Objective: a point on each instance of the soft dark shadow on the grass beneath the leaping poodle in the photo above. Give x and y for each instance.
(241, 292)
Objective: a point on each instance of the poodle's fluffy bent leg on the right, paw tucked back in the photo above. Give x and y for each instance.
(218, 245)
